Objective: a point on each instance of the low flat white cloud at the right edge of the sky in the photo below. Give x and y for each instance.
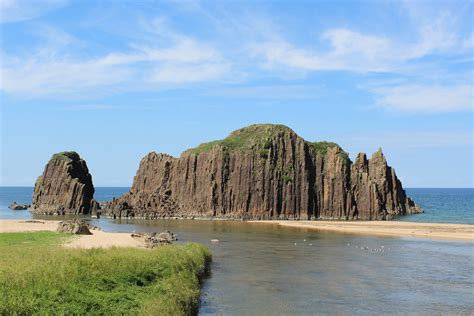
(419, 98)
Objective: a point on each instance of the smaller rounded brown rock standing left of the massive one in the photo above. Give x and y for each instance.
(65, 187)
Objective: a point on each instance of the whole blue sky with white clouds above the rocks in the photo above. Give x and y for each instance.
(115, 80)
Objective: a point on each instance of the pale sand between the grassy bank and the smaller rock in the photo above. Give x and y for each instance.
(98, 239)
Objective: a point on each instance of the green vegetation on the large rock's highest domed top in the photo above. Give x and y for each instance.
(256, 136)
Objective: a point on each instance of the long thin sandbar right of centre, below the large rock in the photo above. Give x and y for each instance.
(461, 232)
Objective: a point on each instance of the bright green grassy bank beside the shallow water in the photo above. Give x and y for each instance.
(38, 276)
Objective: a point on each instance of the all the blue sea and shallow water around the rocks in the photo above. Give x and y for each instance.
(272, 270)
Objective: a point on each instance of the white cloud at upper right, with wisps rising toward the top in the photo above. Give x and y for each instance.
(351, 50)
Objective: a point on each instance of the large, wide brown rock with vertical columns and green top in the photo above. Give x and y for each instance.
(264, 172)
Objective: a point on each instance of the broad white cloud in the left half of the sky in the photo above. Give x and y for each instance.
(49, 71)
